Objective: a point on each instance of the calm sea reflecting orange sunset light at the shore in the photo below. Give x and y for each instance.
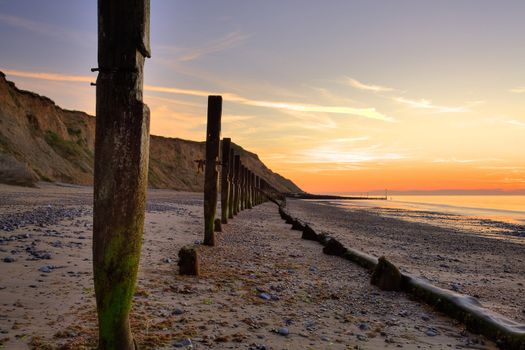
(497, 216)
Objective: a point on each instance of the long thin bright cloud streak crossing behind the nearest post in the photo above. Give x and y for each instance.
(370, 113)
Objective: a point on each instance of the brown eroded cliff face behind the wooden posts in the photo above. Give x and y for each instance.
(39, 141)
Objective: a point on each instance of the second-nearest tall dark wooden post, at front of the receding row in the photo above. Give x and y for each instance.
(213, 137)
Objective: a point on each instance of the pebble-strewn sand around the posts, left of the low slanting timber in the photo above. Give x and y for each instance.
(260, 282)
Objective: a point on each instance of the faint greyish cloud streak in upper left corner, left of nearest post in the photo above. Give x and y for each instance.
(48, 30)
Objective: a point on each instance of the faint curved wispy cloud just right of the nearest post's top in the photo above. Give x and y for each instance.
(190, 54)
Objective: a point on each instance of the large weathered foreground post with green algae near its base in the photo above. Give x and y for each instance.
(121, 165)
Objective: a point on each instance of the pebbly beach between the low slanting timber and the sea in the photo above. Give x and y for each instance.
(491, 268)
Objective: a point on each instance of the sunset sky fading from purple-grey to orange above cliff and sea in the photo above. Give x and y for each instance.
(338, 96)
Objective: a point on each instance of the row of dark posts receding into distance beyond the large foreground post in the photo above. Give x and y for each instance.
(240, 186)
